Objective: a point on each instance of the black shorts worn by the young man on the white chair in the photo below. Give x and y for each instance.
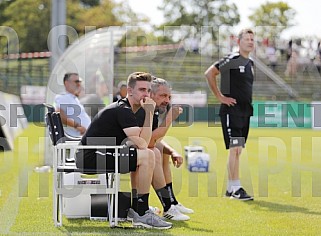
(104, 160)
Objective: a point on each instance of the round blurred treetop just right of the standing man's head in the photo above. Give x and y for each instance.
(270, 19)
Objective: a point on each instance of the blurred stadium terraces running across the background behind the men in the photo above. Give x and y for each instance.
(183, 69)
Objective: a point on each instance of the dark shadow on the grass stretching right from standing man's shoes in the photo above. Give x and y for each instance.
(277, 207)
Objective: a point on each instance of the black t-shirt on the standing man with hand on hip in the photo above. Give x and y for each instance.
(237, 82)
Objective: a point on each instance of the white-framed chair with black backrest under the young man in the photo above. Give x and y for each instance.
(61, 143)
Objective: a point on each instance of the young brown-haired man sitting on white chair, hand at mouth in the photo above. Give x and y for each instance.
(118, 123)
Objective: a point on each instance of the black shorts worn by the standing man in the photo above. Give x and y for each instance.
(235, 130)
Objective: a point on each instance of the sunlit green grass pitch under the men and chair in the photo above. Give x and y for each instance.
(281, 167)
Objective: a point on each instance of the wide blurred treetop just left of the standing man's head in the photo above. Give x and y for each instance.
(200, 13)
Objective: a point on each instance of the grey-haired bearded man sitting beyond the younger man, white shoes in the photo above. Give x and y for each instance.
(162, 178)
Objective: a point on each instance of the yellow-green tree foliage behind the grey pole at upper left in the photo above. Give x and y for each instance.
(31, 19)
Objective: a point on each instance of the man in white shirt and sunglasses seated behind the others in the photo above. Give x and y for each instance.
(72, 112)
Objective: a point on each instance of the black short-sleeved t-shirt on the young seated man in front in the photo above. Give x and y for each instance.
(109, 123)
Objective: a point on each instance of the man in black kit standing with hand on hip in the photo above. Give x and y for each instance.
(236, 109)
